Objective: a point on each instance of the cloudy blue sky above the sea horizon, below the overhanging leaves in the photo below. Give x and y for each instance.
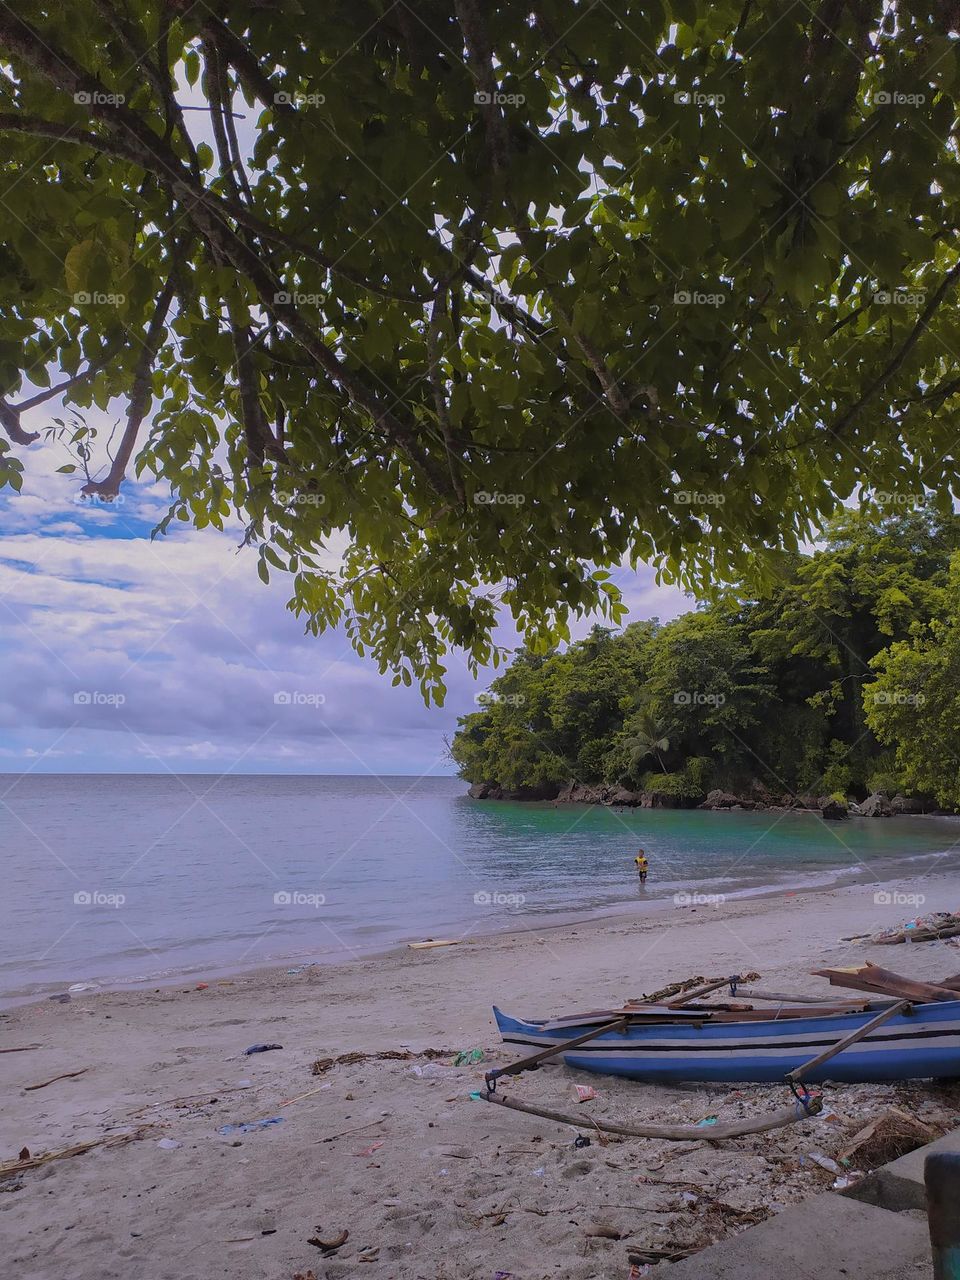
(127, 655)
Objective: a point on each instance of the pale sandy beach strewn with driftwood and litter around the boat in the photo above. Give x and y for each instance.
(392, 1151)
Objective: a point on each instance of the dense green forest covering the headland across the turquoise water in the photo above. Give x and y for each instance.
(839, 691)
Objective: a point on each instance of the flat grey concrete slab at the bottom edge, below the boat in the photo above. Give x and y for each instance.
(826, 1238)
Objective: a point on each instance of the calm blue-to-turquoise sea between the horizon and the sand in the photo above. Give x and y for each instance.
(143, 879)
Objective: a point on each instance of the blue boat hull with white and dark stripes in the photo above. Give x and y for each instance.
(916, 1046)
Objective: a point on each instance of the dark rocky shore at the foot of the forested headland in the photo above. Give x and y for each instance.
(877, 806)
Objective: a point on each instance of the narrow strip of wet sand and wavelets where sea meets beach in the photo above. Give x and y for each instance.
(642, 911)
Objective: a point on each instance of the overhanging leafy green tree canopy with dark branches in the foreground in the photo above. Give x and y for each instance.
(501, 295)
